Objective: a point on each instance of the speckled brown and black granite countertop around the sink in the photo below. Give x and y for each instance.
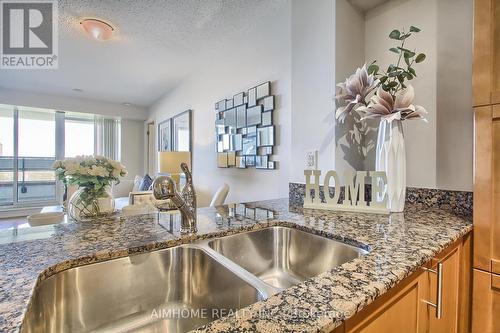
(398, 245)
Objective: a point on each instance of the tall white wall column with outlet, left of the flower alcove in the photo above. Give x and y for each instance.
(313, 81)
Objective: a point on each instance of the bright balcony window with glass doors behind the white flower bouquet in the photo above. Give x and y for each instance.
(31, 139)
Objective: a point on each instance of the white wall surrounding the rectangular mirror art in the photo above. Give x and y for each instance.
(261, 54)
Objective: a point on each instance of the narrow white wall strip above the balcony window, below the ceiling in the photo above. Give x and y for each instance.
(75, 104)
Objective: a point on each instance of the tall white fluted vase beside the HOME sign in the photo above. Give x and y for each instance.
(391, 158)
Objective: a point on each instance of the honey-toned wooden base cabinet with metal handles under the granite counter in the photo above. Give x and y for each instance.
(406, 308)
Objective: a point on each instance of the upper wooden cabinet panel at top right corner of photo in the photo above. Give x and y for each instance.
(482, 59)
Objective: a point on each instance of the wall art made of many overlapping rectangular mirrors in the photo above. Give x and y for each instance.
(244, 129)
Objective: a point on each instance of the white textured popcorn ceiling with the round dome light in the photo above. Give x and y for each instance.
(158, 43)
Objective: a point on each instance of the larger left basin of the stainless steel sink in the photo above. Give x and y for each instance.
(172, 290)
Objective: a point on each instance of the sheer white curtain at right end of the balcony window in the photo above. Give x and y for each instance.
(107, 137)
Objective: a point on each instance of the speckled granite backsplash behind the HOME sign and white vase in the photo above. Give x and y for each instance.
(459, 202)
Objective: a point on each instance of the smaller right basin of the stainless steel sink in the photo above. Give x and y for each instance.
(282, 257)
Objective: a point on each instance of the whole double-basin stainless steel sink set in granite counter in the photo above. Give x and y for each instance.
(184, 287)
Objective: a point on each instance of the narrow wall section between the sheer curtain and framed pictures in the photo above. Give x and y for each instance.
(132, 146)
